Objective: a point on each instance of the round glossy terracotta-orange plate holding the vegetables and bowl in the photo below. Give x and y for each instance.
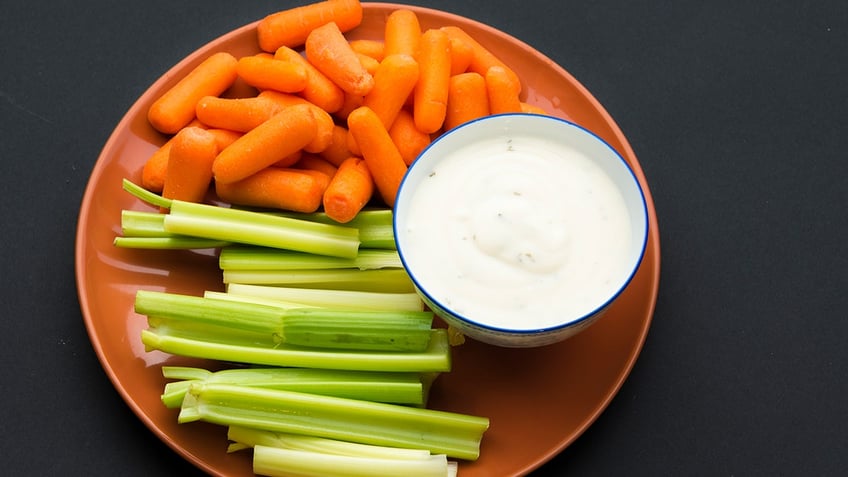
(538, 400)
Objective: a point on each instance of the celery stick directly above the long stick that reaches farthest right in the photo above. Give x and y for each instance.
(377, 386)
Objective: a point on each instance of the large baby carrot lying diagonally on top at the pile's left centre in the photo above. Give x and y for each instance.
(285, 133)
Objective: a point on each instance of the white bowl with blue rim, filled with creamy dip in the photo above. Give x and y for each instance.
(520, 230)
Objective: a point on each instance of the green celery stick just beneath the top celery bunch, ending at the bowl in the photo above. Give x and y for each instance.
(265, 258)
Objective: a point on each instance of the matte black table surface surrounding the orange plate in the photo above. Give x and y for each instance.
(735, 109)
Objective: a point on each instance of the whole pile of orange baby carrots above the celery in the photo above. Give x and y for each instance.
(315, 120)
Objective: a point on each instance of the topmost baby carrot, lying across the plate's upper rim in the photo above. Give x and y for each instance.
(290, 27)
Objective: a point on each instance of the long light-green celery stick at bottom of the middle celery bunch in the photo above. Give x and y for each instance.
(436, 358)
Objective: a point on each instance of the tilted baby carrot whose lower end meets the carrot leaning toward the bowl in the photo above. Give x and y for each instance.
(394, 81)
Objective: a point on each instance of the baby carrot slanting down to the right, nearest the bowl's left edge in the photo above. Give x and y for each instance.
(380, 153)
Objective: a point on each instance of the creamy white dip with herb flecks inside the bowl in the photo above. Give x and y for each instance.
(518, 236)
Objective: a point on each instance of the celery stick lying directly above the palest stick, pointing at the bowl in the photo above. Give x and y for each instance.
(386, 280)
